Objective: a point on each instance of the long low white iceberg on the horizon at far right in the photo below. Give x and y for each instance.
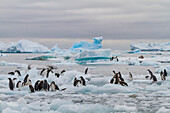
(150, 47)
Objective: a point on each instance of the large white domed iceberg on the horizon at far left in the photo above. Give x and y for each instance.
(23, 46)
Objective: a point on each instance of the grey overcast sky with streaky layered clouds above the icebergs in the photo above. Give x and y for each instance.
(112, 19)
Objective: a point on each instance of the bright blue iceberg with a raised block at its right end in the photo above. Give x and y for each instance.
(83, 45)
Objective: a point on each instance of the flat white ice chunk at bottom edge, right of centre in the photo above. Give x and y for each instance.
(123, 108)
